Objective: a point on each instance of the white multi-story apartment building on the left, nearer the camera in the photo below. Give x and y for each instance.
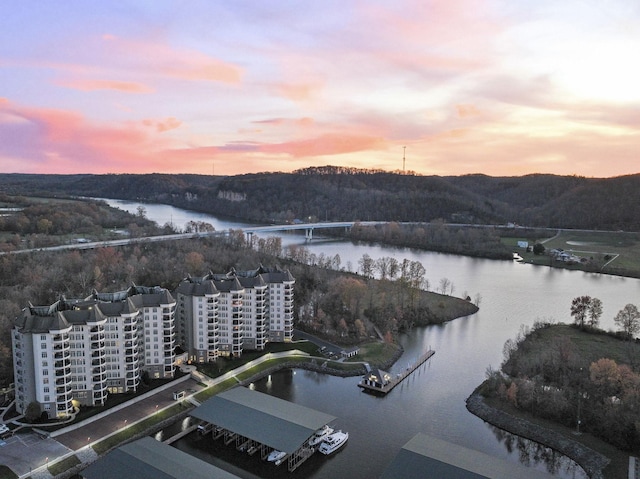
(80, 350)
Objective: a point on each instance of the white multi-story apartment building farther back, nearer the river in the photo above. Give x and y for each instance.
(228, 313)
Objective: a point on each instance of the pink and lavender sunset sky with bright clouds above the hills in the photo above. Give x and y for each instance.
(213, 87)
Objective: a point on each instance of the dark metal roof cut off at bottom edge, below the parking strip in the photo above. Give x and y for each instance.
(151, 459)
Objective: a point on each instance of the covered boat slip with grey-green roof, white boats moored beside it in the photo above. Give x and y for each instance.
(259, 422)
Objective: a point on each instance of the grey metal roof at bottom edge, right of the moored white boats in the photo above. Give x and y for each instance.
(426, 457)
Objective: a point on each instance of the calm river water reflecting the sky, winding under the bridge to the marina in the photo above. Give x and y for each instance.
(432, 400)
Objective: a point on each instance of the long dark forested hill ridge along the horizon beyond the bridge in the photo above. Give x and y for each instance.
(336, 193)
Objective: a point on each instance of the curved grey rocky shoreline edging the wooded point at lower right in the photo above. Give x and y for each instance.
(592, 462)
